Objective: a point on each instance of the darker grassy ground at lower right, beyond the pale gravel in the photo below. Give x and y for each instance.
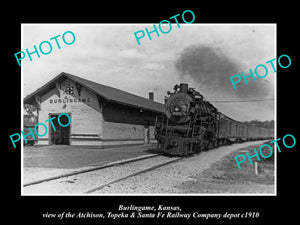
(225, 177)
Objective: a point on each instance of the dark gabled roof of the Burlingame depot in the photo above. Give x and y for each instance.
(108, 93)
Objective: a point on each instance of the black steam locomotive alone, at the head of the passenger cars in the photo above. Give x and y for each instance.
(189, 125)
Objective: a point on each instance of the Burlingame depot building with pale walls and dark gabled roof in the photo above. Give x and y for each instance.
(100, 115)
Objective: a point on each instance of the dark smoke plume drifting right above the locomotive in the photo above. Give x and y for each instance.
(211, 70)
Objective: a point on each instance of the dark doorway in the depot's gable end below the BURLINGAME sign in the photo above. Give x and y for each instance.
(60, 136)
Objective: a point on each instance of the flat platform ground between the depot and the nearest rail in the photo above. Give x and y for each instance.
(41, 162)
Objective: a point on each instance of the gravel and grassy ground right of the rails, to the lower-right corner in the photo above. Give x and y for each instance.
(210, 172)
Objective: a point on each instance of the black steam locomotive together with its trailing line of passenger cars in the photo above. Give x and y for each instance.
(191, 124)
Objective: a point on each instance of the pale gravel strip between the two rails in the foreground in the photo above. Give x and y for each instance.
(95, 179)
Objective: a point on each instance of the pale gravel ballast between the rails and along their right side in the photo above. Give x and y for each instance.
(164, 180)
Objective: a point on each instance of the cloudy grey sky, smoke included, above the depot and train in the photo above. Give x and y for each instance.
(203, 55)
